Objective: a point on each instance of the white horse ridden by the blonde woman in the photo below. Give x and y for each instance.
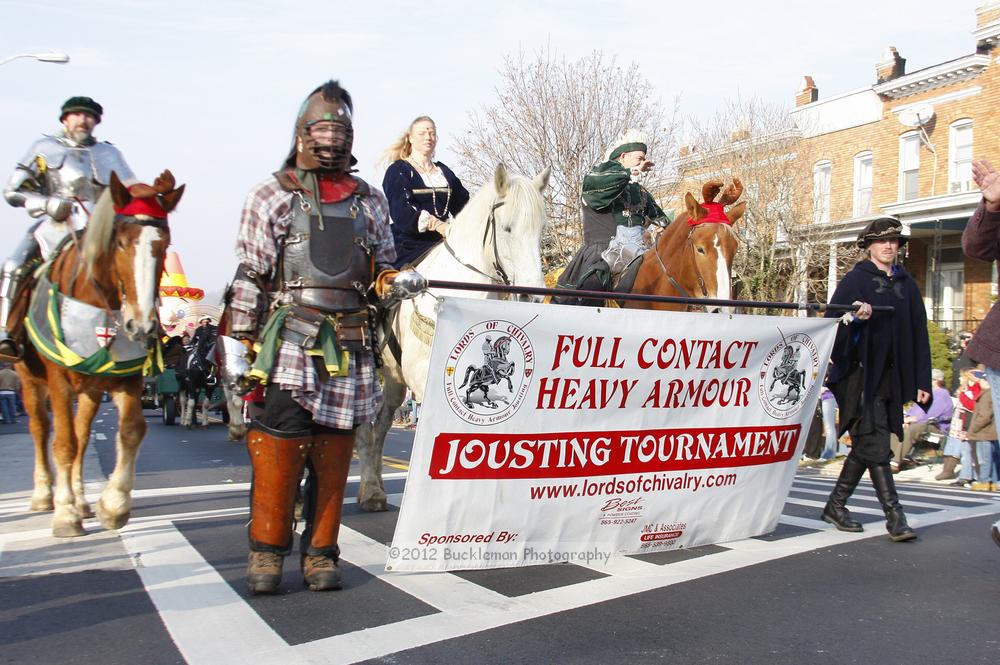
(494, 240)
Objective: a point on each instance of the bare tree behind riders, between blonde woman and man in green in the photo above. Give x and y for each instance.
(553, 112)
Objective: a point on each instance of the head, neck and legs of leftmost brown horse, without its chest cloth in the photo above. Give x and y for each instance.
(115, 266)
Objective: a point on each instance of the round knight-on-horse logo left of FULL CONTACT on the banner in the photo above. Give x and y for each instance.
(488, 372)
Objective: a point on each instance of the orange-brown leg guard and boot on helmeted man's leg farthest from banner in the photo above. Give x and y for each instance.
(277, 459)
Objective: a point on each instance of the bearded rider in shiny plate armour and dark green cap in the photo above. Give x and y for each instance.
(58, 182)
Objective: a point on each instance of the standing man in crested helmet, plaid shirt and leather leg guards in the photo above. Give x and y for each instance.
(312, 240)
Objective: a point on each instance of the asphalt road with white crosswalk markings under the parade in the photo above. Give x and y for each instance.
(169, 587)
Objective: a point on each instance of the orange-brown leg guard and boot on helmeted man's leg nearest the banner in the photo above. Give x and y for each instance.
(329, 464)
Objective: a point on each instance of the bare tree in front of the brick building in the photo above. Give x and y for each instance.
(788, 241)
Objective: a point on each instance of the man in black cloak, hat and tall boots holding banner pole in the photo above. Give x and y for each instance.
(880, 360)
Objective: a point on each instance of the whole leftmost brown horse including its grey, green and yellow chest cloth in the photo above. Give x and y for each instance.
(93, 328)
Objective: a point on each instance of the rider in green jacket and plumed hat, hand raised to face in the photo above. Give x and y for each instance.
(617, 211)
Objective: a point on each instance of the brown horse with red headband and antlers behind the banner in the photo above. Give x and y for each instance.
(692, 256)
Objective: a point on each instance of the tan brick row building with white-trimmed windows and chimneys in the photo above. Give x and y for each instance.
(903, 146)
